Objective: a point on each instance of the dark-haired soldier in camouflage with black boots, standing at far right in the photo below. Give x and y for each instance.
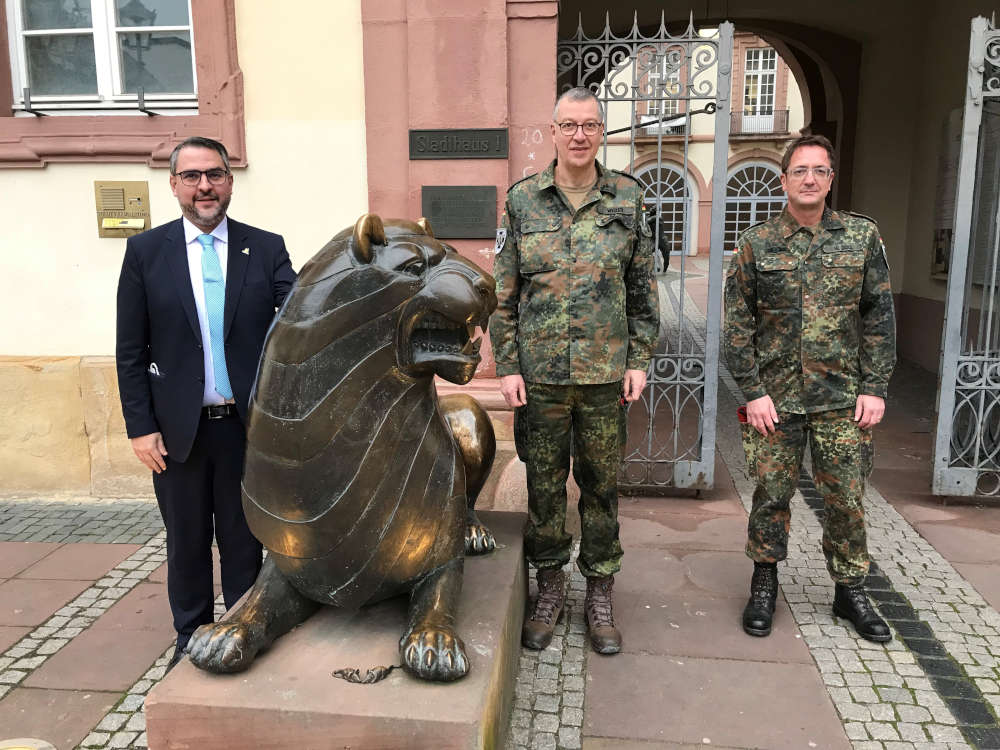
(810, 338)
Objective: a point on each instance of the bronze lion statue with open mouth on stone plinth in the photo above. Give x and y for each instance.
(359, 481)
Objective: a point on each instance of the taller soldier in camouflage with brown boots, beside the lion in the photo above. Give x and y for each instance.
(573, 334)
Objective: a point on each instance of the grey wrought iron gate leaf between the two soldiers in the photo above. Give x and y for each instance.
(654, 88)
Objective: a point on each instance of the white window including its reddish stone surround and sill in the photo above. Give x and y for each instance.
(85, 62)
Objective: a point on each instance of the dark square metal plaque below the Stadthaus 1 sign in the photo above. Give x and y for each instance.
(460, 211)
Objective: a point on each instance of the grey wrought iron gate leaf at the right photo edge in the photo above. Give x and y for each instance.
(967, 447)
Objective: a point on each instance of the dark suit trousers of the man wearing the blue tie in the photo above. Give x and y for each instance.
(200, 498)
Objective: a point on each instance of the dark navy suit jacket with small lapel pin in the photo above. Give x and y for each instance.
(158, 323)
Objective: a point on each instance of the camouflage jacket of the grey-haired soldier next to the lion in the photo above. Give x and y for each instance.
(577, 297)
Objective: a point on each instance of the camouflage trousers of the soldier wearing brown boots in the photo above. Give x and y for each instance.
(589, 421)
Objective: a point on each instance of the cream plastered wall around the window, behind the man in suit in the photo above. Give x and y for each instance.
(306, 179)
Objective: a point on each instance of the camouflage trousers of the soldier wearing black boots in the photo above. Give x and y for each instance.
(841, 461)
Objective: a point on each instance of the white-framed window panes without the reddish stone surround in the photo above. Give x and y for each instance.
(86, 54)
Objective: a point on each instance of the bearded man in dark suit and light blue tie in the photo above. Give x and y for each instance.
(196, 297)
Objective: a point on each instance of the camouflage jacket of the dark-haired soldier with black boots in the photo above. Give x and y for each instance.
(809, 314)
